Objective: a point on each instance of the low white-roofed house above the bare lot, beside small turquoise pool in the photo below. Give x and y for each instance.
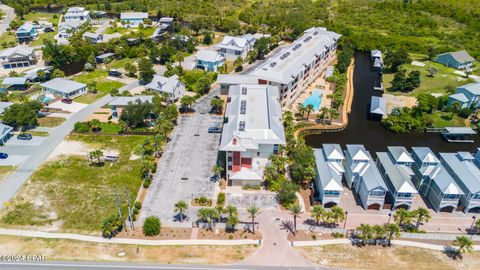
(64, 88)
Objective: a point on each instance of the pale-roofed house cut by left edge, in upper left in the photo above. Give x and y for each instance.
(19, 56)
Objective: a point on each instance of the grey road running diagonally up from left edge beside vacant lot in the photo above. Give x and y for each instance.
(10, 186)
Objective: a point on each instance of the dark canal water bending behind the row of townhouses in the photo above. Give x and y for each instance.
(376, 138)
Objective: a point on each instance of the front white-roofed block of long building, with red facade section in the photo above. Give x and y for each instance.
(252, 133)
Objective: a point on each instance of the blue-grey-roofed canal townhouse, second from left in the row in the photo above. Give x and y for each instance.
(363, 177)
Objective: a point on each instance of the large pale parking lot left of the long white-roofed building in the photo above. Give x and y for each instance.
(184, 171)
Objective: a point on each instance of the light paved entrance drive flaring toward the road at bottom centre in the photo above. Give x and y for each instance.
(275, 250)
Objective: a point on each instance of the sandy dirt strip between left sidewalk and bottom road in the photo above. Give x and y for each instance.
(77, 250)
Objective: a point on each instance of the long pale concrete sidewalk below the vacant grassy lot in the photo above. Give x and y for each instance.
(127, 241)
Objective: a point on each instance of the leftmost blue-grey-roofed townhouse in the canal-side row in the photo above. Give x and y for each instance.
(329, 174)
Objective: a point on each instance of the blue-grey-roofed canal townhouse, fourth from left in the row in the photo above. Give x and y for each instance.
(434, 182)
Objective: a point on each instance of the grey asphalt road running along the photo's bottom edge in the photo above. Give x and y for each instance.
(129, 266)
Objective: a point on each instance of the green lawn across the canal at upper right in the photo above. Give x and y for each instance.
(444, 79)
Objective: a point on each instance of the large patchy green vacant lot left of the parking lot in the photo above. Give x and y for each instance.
(71, 194)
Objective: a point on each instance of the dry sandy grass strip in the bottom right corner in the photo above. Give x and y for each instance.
(395, 257)
